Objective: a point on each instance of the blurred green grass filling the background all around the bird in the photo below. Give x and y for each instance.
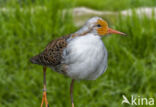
(27, 26)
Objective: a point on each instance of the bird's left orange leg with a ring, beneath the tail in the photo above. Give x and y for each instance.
(44, 97)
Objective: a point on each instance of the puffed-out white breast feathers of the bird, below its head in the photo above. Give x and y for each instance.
(86, 57)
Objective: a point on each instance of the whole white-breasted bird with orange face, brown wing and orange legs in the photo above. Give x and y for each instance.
(81, 55)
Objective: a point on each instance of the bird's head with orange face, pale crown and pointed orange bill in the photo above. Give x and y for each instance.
(98, 26)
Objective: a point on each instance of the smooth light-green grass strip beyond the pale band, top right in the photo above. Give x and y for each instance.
(115, 5)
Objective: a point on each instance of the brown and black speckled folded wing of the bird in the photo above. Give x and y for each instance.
(52, 55)
